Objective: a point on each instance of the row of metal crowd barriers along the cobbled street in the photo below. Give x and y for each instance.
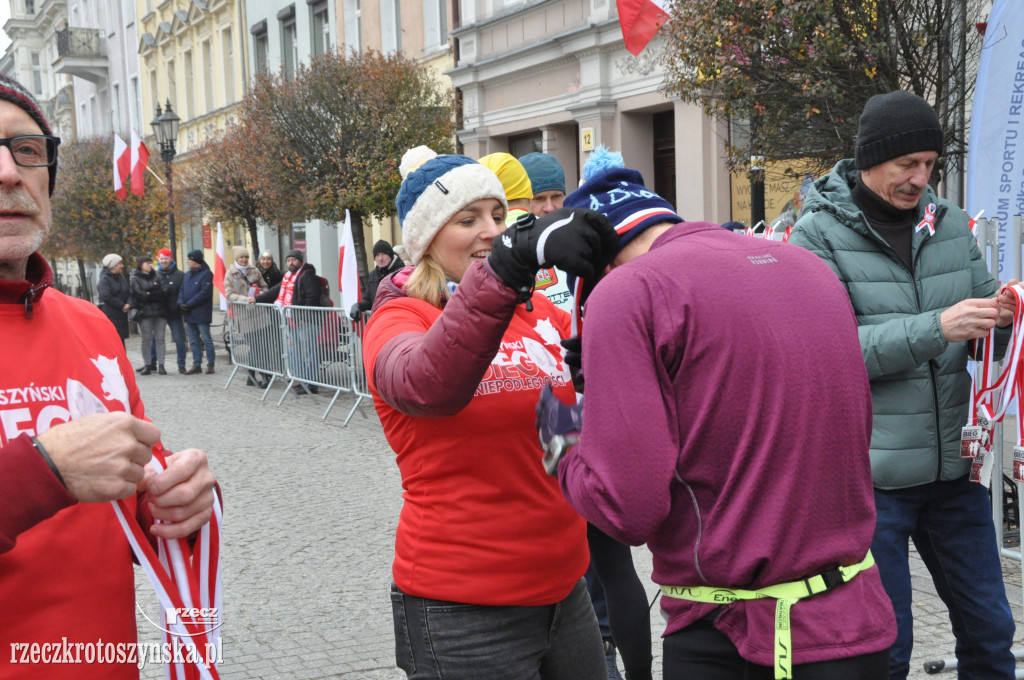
(313, 348)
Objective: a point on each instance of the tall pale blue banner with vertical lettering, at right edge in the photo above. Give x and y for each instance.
(996, 150)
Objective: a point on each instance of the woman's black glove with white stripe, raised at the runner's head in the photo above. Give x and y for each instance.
(574, 240)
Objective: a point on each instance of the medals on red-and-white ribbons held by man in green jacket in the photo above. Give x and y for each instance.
(992, 396)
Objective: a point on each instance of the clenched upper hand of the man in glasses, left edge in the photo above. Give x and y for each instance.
(102, 457)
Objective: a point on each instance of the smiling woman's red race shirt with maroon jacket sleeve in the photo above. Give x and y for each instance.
(483, 524)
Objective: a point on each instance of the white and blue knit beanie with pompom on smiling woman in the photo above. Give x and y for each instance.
(434, 190)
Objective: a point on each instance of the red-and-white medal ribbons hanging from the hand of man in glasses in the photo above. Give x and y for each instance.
(188, 582)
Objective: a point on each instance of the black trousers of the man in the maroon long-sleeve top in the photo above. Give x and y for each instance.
(703, 652)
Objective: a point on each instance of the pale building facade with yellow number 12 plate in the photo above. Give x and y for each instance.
(554, 76)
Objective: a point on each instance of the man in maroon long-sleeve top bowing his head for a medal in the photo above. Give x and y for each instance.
(727, 424)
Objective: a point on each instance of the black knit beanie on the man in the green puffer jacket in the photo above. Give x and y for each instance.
(893, 125)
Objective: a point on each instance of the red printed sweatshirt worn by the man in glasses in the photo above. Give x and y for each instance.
(66, 568)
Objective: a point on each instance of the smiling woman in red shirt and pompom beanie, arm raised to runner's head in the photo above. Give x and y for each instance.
(489, 556)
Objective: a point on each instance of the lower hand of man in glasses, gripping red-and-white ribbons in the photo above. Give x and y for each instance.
(182, 496)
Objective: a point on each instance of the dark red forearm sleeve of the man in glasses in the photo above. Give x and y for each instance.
(30, 492)
